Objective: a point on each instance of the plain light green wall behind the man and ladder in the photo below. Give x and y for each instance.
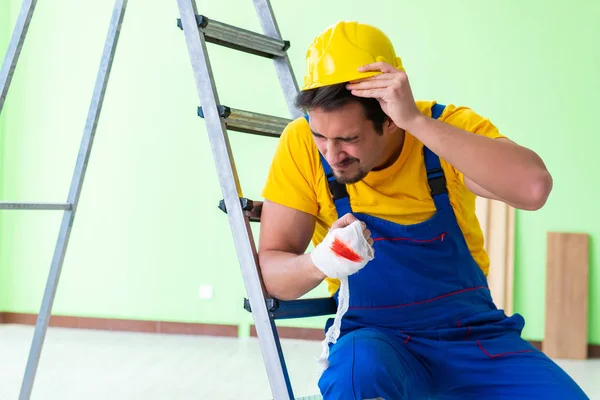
(148, 232)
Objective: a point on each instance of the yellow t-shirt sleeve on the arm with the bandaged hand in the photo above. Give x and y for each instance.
(291, 177)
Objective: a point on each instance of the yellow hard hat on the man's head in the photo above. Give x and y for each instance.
(335, 55)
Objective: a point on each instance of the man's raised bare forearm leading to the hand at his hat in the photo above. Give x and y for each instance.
(511, 172)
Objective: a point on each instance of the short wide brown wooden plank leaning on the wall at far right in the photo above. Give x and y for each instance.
(567, 271)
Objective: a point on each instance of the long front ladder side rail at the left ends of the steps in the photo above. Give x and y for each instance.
(229, 182)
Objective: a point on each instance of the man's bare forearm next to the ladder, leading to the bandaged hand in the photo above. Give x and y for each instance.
(288, 276)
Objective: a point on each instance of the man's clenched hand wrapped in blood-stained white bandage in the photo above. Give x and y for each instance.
(345, 250)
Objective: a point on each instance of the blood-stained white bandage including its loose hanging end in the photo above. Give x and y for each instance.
(343, 252)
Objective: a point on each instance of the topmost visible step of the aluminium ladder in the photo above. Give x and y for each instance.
(240, 39)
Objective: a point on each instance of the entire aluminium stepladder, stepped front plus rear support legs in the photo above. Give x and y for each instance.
(219, 118)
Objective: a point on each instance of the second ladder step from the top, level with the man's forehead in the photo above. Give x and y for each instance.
(250, 122)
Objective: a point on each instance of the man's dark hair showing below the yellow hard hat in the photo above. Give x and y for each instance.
(333, 97)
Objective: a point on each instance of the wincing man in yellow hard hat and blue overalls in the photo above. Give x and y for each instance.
(420, 321)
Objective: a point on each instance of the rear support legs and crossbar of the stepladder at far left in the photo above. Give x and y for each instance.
(70, 206)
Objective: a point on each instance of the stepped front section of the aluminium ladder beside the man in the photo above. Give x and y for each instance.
(219, 118)
